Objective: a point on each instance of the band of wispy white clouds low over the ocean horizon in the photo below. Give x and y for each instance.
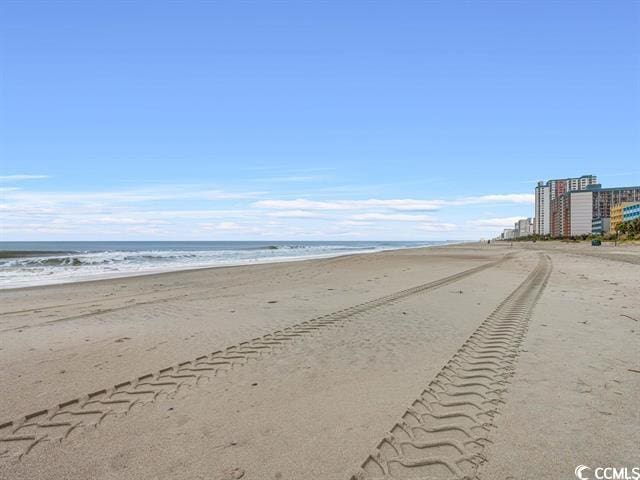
(204, 212)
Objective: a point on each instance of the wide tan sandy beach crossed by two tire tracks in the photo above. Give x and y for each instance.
(491, 361)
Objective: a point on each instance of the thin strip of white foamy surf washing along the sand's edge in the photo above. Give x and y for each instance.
(161, 270)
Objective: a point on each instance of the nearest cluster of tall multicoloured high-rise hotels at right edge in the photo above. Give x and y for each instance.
(577, 206)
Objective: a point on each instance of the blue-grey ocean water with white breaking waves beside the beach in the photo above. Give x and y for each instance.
(38, 263)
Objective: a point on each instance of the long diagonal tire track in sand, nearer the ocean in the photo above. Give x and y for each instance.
(19, 437)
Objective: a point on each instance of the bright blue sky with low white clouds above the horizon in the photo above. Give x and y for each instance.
(307, 120)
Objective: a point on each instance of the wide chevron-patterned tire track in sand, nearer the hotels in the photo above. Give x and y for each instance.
(444, 431)
